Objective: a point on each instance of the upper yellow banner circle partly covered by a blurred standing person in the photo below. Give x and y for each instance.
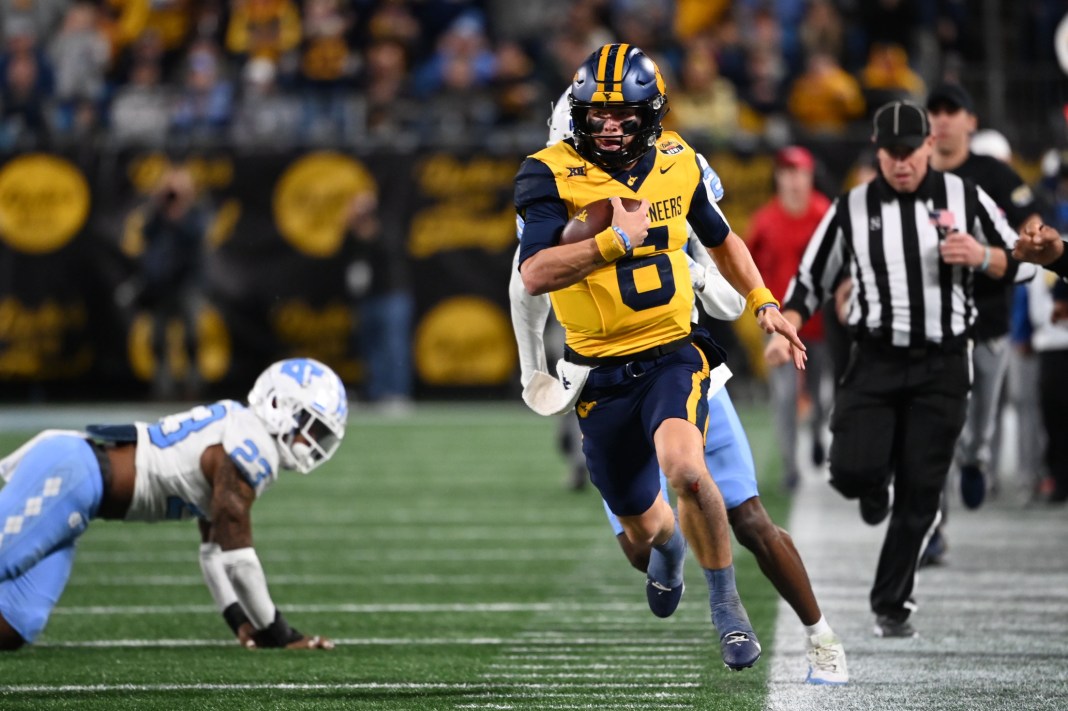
(312, 197)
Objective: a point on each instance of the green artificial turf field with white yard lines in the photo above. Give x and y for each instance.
(447, 558)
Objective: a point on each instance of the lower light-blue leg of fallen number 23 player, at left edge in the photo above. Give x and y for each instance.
(27, 602)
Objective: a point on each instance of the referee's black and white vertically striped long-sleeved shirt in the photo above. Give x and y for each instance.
(888, 244)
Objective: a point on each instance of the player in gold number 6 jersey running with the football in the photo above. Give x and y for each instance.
(625, 301)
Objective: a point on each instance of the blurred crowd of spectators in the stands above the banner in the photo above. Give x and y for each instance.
(307, 72)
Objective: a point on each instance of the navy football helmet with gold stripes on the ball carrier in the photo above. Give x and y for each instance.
(618, 77)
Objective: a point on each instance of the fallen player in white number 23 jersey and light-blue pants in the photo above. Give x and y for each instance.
(211, 463)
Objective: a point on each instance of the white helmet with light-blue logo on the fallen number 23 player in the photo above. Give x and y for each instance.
(304, 405)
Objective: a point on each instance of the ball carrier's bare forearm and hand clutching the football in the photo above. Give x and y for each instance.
(558, 267)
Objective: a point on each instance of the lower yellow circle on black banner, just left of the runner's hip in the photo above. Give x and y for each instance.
(465, 341)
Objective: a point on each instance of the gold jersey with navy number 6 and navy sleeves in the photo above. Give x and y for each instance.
(643, 299)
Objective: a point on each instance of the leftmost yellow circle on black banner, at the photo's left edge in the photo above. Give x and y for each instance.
(44, 203)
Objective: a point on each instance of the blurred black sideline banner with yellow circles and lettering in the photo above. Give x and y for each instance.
(276, 265)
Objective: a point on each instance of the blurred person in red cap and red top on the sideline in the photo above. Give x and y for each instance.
(778, 236)
